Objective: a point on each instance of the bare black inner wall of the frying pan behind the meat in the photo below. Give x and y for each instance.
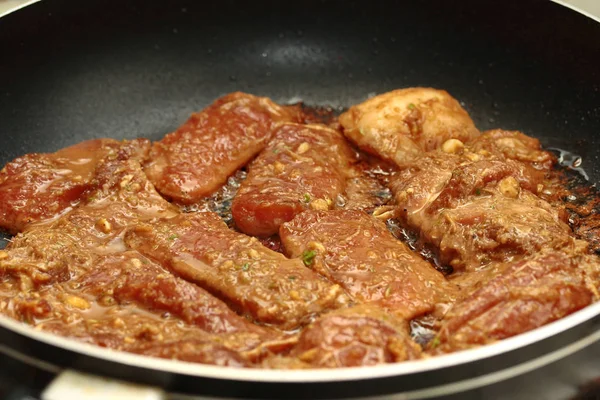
(72, 70)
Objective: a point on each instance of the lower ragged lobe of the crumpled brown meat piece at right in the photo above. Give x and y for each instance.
(496, 228)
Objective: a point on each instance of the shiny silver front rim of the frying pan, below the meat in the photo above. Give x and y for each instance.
(308, 375)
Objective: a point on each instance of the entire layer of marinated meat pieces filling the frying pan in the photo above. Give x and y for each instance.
(342, 265)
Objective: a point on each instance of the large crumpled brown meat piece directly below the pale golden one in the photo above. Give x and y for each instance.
(477, 209)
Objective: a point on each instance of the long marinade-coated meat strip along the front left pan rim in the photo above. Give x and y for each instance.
(59, 310)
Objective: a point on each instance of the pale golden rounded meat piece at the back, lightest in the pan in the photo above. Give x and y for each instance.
(401, 125)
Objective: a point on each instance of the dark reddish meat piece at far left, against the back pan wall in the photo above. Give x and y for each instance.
(38, 186)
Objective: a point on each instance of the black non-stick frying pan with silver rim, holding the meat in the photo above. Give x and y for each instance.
(74, 70)
